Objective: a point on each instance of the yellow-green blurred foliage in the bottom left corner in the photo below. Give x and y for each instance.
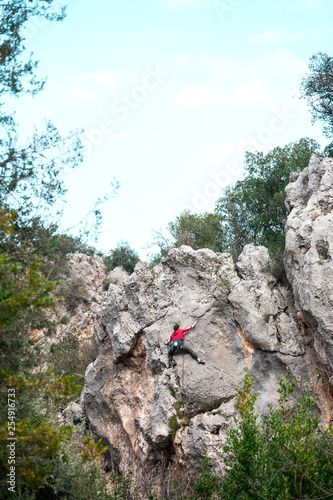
(38, 438)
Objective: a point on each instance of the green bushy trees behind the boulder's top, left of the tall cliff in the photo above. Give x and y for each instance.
(250, 211)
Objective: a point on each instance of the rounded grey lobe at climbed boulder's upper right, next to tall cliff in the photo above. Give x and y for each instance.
(264, 307)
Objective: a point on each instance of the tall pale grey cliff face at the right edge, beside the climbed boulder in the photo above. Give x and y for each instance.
(309, 250)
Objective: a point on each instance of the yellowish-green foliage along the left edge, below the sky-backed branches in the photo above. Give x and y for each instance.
(23, 290)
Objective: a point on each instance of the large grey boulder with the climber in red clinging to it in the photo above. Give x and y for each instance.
(144, 410)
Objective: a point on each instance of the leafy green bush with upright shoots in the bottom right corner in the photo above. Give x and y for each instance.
(290, 456)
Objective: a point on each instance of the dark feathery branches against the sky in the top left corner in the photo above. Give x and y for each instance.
(29, 175)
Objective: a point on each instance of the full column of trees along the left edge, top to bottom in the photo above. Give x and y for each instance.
(30, 243)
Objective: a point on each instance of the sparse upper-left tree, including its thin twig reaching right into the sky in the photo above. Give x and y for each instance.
(31, 174)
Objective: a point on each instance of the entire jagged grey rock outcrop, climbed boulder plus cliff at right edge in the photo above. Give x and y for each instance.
(247, 318)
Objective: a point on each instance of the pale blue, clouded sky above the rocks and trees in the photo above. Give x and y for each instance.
(170, 94)
